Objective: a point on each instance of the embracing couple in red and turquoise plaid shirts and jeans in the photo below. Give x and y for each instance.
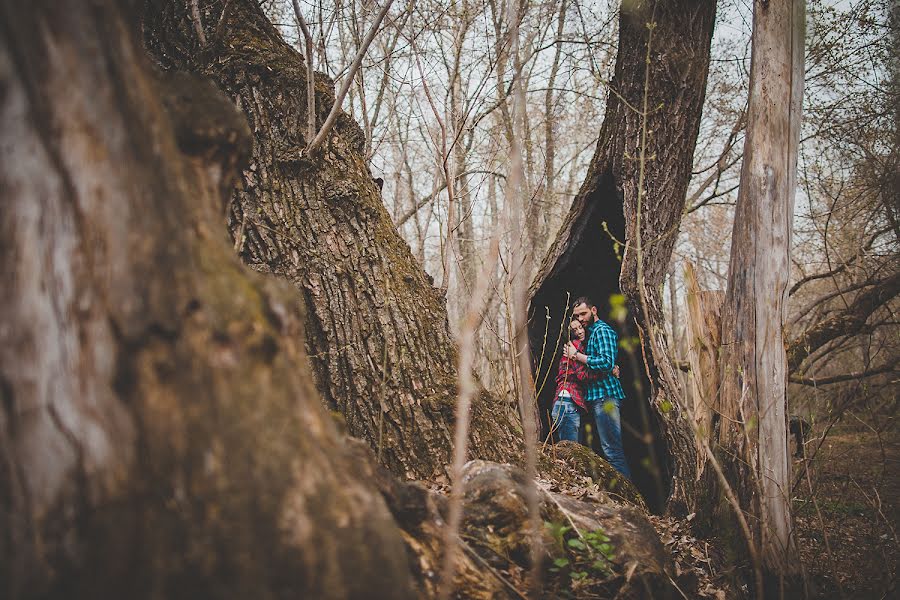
(588, 384)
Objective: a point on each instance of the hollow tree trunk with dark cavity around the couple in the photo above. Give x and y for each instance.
(653, 155)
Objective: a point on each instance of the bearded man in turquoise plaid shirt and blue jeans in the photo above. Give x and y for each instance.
(604, 395)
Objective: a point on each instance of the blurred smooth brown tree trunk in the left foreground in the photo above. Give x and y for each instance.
(160, 436)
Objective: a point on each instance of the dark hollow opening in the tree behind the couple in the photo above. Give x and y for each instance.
(589, 266)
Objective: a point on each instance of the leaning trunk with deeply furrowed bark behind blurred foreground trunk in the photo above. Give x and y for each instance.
(376, 328)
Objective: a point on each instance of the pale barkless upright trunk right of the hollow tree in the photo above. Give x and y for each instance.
(754, 366)
